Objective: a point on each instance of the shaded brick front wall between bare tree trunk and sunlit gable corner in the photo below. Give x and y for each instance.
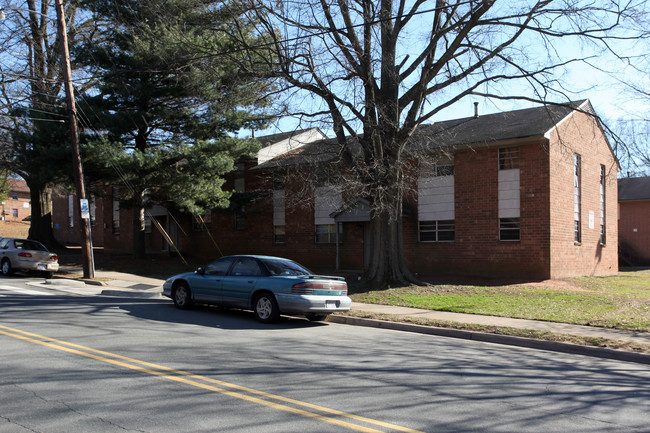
(477, 249)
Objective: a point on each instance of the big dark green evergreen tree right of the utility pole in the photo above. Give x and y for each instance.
(168, 102)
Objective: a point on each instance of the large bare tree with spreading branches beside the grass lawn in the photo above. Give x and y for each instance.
(378, 69)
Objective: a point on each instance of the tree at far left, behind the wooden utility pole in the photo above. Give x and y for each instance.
(32, 126)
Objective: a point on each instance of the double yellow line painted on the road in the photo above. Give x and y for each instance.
(297, 407)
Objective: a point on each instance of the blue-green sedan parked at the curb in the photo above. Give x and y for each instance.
(269, 286)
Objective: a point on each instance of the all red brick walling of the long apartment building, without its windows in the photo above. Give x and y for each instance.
(545, 249)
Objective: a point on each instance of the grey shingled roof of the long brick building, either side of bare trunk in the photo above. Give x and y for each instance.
(471, 131)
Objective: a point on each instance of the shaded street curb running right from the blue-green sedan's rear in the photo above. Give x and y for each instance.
(553, 346)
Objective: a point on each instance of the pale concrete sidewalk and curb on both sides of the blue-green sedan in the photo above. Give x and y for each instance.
(128, 285)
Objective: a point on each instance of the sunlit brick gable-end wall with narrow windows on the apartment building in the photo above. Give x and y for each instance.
(580, 134)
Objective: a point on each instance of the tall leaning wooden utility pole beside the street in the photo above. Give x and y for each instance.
(86, 243)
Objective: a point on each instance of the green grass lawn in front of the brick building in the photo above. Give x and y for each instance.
(621, 301)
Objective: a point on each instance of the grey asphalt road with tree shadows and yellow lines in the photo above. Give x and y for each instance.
(73, 361)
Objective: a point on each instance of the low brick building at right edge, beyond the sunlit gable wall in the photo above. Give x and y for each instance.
(634, 220)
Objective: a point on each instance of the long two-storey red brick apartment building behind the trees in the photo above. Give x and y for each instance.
(528, 193)
